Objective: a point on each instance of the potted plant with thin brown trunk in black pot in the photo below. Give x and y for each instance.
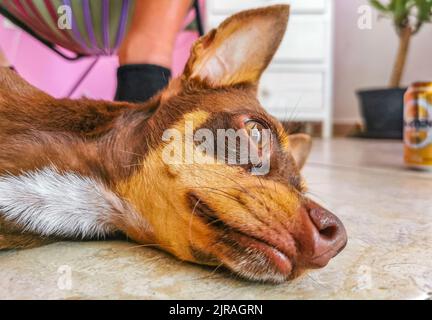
(382, 109)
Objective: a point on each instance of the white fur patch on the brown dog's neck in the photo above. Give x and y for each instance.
(51, 203)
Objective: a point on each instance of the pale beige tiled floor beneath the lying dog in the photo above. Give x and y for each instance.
(387, 211)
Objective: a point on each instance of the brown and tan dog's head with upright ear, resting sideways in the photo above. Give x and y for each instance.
(213, 201)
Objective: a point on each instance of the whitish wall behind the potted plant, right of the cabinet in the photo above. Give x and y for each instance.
(364, 58)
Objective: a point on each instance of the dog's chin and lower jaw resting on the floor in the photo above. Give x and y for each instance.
(255, 260)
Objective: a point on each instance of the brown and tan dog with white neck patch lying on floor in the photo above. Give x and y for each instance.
(73, 169)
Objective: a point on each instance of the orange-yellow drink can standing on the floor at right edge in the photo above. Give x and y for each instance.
(418, 125)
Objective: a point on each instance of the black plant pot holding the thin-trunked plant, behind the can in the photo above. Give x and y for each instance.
(382, 111)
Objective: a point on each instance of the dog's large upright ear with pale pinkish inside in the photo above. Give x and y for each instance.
(240, 49)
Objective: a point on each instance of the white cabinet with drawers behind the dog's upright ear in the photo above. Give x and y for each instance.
(298, 84)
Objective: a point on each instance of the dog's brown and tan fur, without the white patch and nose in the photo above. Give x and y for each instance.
(209, 214)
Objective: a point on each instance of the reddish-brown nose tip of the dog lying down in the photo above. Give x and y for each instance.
(328, 236)
